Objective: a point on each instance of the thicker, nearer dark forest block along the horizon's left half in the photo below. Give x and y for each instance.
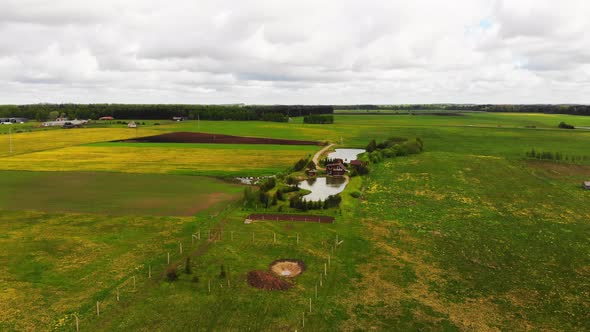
(278, 113)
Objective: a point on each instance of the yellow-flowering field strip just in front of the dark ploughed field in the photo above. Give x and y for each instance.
(211, 160)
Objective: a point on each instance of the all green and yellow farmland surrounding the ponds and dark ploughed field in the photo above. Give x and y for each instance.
(469, 235)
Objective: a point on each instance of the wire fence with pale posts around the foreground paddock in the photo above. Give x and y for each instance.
(155, 271)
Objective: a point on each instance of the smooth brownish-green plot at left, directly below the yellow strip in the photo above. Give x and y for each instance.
(112, 193)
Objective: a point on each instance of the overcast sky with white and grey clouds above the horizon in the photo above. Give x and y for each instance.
(295, 52)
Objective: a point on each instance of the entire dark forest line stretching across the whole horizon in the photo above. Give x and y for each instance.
(278, 113)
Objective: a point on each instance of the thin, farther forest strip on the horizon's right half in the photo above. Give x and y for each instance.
(540, 108)
